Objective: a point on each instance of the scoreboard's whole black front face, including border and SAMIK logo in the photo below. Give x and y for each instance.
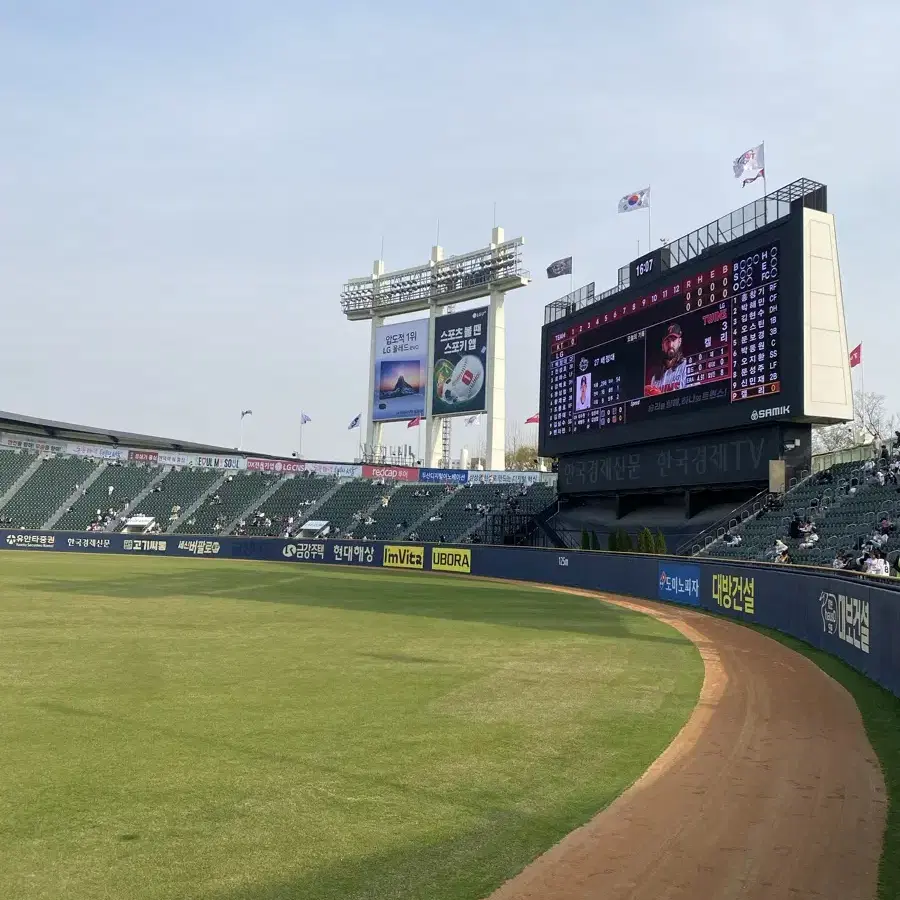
(702, 348)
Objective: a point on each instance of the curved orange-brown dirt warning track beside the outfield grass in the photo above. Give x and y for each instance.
(770, 791)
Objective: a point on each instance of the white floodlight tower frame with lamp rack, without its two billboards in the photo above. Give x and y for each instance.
(490, 272)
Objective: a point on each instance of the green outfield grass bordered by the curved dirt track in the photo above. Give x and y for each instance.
(209, 730)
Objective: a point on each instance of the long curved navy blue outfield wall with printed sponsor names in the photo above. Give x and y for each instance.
(855, 619)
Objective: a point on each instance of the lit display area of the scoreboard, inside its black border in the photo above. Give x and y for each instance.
(708, 339)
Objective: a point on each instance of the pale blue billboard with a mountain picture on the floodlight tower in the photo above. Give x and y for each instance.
(401, 359)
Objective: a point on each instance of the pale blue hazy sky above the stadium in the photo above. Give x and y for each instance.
(184, 187)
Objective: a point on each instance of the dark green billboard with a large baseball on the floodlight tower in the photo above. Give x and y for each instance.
(460, 363)
